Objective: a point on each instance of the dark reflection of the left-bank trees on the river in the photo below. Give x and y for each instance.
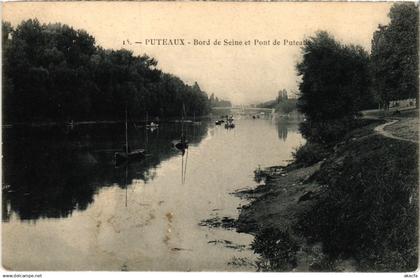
(48, 173)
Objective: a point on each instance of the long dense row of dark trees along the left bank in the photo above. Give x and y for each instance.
(52, 72)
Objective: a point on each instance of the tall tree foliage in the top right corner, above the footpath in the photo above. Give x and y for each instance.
(395, 55)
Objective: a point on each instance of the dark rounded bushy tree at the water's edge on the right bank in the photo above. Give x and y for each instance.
(335, 83)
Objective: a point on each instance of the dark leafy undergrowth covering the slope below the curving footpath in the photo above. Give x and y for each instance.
(370, 208)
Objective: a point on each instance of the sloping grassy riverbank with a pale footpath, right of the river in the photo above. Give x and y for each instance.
(354, 210)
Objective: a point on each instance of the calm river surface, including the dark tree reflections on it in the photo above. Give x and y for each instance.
(67, 207)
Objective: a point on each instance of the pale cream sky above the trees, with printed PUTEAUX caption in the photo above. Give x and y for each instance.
(243, 74)
